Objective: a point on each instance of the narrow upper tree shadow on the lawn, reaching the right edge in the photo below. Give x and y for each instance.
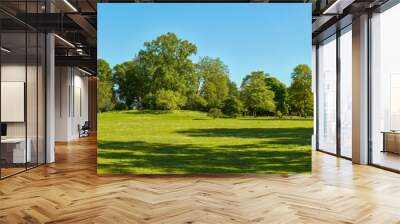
(282, 136)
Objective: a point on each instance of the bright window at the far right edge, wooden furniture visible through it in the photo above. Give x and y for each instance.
(385, 89)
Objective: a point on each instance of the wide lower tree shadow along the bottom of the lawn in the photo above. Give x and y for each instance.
(159, 158)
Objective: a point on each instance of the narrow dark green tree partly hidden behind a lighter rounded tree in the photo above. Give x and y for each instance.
(281, 94)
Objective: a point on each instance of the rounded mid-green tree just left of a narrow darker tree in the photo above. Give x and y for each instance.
(256, 95)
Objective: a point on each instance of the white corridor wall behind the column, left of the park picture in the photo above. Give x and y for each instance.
(71, 94)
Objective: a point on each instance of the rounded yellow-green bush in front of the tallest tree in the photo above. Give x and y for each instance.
(168, 100)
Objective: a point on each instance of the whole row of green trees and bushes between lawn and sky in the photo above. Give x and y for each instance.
(163, 76)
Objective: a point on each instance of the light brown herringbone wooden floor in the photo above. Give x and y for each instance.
(69, 191)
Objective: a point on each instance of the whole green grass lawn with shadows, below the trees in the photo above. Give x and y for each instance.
(188, 142)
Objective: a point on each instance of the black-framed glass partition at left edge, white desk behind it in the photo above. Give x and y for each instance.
(22, 89)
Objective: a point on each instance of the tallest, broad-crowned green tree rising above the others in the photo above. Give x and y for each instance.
(165, 63)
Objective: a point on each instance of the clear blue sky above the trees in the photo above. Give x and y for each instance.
(246, 37)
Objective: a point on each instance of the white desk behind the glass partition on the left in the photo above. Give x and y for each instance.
(16, 147)
